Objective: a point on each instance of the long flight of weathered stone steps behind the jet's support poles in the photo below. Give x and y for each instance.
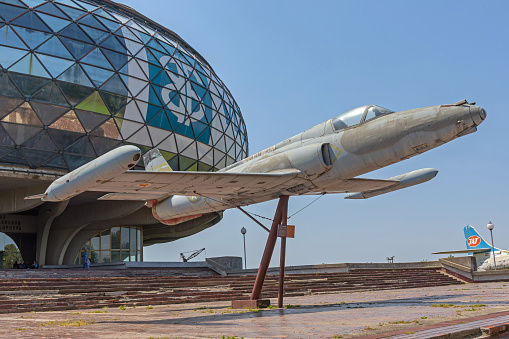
(50, 290)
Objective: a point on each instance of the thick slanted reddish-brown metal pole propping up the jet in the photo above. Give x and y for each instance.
(281, 210)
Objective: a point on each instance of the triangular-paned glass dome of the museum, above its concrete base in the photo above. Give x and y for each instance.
(79, 78)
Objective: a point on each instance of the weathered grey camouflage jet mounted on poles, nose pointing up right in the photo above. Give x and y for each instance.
(325, 159)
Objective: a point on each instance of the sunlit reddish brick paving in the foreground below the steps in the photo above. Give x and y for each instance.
(345, 315)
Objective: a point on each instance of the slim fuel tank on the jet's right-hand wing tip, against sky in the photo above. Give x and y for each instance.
(405, 180)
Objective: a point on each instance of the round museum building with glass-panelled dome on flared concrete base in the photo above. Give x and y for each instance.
(79, 78)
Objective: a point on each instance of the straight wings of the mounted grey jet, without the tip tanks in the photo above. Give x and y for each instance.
(146, 185)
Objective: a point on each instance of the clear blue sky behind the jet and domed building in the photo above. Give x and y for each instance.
(293, 64)
